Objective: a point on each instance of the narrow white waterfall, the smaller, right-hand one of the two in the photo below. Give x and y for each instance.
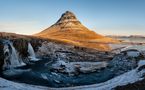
(31, 53)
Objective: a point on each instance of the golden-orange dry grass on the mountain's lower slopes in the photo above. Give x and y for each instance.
(80, 37)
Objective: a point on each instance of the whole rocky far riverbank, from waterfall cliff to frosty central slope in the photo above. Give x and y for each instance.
(50, 48)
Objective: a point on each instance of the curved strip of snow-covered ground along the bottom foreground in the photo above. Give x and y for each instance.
(124, 79)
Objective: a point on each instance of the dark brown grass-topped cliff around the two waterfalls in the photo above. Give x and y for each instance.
(20, 43)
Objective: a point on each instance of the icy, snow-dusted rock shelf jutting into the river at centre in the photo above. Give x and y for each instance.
(74, 68)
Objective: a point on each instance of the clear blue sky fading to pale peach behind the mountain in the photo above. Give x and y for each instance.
(107, 17)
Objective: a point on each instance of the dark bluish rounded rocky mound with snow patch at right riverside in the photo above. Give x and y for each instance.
(125, 61)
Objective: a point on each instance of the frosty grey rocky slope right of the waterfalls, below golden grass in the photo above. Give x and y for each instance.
(72, 53)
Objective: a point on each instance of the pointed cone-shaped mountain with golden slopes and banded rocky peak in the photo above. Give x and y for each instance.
(70, 30)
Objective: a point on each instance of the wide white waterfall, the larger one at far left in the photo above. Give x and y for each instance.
(11, 57)
